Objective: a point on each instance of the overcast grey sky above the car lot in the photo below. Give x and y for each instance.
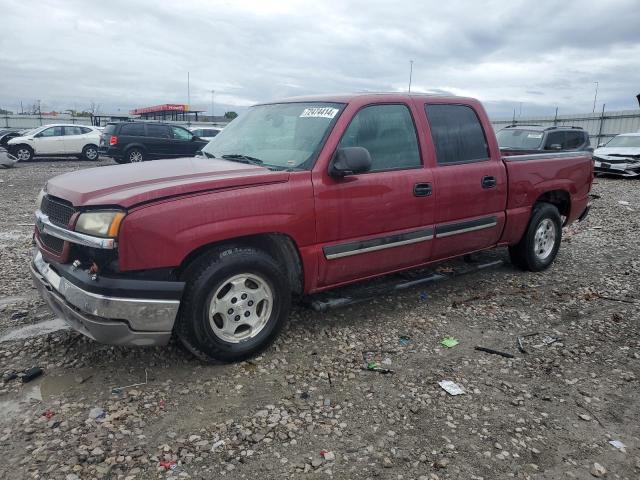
(123, 54)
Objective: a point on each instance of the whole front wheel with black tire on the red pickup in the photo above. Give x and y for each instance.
(245, 319)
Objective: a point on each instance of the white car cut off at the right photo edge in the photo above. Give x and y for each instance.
(620, 156)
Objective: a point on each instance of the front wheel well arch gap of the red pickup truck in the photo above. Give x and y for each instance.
(279, 246)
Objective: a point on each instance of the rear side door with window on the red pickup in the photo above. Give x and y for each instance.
(470, 186)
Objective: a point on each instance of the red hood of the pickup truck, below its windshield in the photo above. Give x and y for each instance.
(132, 184)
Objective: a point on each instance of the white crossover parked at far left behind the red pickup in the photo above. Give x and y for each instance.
(56, 140)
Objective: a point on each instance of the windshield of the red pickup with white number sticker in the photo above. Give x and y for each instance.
(284, 135)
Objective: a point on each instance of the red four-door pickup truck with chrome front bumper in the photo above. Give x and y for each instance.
(292, 198)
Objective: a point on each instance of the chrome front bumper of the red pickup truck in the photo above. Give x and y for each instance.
(112, 320)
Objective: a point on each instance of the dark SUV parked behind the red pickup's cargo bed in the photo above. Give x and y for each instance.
(524, 139)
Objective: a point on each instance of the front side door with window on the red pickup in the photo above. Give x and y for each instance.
(381, 220)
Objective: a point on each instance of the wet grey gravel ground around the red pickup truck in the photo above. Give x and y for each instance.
(308, 409)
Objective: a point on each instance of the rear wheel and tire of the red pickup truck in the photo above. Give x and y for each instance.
(541, 241)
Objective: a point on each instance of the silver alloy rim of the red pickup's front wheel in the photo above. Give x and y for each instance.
(240, 308)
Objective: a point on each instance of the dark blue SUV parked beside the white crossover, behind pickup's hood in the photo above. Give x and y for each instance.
(128, 142)
